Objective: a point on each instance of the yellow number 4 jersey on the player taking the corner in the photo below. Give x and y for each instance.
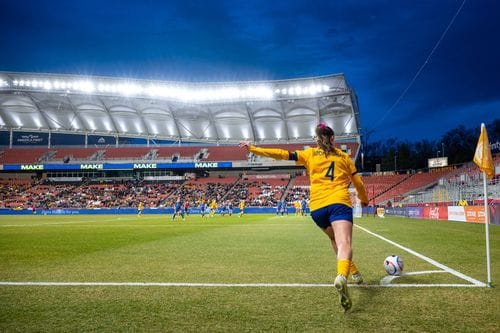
(330, 175)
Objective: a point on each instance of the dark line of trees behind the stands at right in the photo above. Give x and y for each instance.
(458, 145)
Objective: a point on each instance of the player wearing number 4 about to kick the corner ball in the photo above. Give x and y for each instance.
(330, 173)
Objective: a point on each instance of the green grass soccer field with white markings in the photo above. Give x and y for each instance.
(237, 275)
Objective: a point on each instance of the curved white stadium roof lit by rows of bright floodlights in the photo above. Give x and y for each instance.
(264, 111)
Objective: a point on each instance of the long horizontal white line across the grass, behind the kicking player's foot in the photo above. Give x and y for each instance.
(220, 285)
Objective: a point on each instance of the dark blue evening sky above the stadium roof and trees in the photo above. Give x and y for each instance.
(379, 45)
